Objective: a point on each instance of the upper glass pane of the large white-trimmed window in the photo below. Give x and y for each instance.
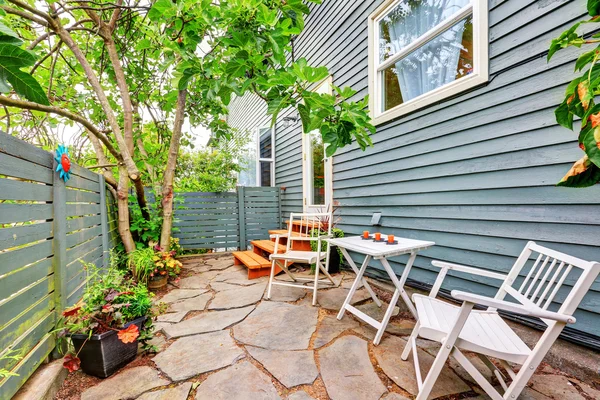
(409, 20)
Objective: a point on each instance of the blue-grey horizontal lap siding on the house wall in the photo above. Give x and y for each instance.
(475, 173)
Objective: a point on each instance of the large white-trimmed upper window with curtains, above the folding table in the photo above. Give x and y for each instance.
(422, 51)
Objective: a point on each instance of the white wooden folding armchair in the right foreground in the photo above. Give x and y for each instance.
(484, 332)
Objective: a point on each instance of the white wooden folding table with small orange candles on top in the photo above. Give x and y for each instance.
(379, 251)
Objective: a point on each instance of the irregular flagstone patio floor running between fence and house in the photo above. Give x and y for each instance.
(223, 340)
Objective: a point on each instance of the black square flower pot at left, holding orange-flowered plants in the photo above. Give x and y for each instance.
(104, 354)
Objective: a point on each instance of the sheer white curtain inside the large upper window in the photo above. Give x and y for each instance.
(435, 63)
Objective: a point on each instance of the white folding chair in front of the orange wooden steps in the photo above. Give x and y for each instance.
(313, 227)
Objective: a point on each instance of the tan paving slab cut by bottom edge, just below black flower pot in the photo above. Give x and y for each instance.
(127, 384)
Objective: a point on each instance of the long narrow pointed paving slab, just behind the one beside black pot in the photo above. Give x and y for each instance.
(207, 322)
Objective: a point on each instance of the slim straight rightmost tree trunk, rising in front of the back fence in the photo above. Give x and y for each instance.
(169, 175)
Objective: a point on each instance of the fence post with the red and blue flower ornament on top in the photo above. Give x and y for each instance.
(59, 242)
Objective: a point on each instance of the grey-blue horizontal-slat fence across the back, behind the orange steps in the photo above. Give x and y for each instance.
(228, 220)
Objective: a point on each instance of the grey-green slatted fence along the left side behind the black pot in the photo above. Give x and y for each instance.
(47, 228)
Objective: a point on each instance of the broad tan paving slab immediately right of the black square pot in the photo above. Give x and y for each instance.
(194, 355)
